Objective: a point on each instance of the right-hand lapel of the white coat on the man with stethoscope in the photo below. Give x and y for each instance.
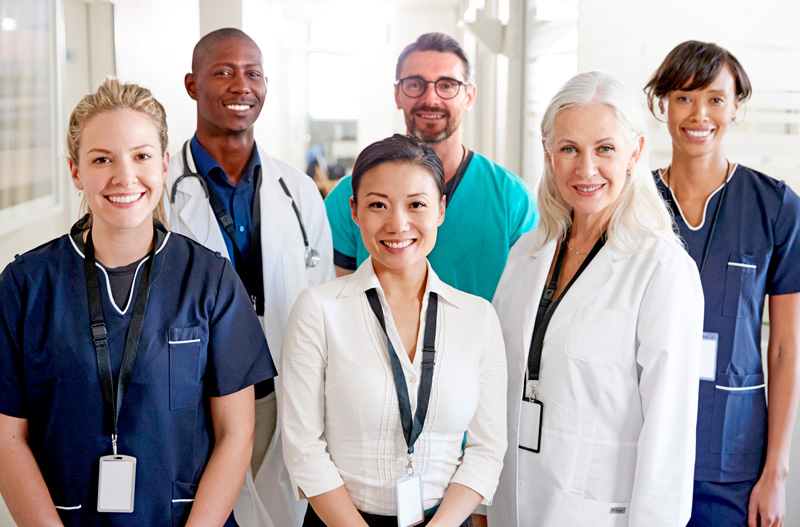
(277, 216)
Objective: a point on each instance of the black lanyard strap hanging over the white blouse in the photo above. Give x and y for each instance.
(426, 379)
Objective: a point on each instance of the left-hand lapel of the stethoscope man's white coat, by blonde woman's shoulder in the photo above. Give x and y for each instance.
(195, 211)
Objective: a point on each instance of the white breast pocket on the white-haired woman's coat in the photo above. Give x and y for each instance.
(596, 335)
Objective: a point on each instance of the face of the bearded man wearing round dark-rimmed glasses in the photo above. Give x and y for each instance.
(430, 118)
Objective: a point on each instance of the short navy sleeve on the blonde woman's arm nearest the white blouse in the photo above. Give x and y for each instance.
(238, 355)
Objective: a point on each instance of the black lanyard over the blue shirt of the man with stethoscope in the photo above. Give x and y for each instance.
(247, 273)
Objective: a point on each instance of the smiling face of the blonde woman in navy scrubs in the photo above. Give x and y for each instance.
(121, 169)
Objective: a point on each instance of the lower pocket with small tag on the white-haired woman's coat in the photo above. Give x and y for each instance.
(568, 510)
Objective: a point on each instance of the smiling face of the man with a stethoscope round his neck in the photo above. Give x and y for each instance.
(229, 87)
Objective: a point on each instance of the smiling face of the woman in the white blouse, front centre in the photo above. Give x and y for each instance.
(399, 210)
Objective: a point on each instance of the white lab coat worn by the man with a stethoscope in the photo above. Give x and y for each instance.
(268, 501)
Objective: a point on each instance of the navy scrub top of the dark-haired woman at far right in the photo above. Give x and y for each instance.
(754, 252)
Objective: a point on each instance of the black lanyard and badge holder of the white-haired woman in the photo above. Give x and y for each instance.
(531, 408)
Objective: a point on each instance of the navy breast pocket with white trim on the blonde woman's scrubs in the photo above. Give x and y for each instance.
(185, 389)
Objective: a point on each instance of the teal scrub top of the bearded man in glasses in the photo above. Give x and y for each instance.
(486, 214)
